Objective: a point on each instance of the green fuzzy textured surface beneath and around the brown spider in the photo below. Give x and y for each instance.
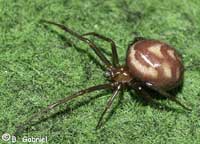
(38, 65)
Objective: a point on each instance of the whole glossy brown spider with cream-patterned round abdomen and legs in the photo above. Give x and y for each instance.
(150, 64)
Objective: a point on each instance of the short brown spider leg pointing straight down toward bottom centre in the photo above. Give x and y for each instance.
(108, 105)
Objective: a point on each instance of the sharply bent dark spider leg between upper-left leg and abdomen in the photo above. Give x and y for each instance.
(115, 58)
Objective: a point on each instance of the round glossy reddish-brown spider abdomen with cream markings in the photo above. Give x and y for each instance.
(155, 62)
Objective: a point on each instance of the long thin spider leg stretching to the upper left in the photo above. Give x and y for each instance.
(90, 43)
